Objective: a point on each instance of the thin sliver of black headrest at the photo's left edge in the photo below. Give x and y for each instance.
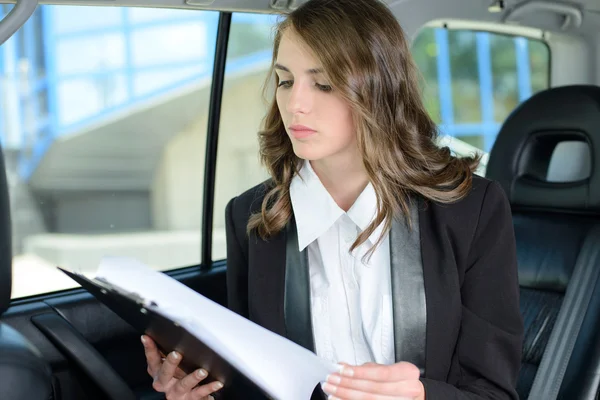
(5, 240)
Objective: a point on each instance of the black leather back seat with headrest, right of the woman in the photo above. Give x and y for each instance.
(552, 218)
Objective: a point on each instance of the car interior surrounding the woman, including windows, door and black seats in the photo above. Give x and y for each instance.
(126, 126)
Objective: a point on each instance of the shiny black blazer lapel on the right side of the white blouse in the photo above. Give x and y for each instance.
(408, 290)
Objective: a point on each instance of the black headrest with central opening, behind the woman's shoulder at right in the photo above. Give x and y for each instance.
(530, 149)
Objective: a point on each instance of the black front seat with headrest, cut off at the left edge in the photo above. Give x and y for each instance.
(24, 375)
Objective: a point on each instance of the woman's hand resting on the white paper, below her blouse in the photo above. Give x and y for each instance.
(372, 381)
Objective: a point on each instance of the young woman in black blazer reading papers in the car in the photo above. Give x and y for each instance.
(369, 245)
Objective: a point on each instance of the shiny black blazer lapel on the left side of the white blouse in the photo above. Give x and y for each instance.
(297, 314)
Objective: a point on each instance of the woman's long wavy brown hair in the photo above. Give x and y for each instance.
(367, 60)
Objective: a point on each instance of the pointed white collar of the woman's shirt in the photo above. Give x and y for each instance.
(316, 211)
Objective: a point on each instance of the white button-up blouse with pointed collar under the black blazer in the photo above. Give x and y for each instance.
(351, 303)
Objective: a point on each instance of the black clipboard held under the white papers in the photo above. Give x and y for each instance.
(169, 336)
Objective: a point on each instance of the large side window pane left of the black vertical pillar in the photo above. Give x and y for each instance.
(104, 127)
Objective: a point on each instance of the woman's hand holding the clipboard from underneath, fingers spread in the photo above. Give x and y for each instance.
(171, 380)
